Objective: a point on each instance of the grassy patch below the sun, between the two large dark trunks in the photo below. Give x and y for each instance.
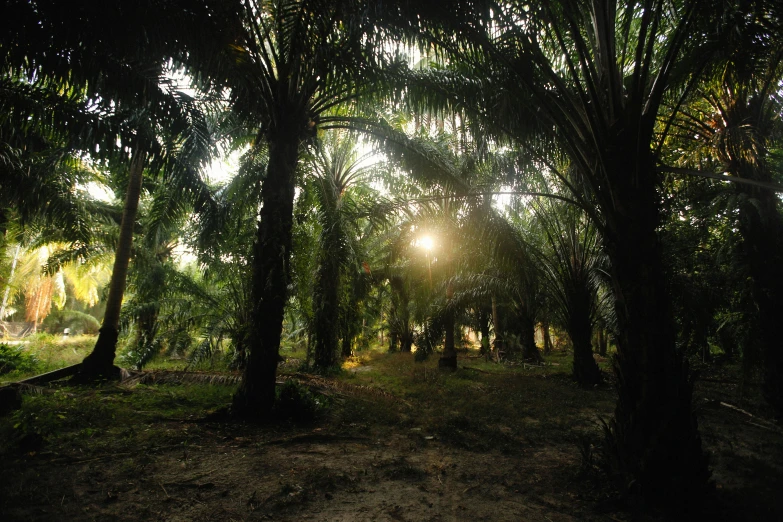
(482, 405)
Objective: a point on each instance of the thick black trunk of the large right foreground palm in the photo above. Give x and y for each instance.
(654, 434)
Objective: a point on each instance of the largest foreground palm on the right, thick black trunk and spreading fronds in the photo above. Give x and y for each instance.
(588, 79)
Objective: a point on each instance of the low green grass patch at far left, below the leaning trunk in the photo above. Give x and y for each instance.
(108, 419)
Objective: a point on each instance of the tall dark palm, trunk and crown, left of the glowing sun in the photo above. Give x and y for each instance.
(295, 61)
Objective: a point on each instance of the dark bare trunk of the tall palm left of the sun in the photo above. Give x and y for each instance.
(270, 268)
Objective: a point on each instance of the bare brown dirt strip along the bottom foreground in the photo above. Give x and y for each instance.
(299, 476)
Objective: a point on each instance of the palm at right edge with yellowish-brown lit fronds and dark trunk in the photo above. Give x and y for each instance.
(734, 122)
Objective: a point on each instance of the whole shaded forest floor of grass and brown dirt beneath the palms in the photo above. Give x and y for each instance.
(399, 441)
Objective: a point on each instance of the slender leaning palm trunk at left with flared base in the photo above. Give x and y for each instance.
(100, 363)
